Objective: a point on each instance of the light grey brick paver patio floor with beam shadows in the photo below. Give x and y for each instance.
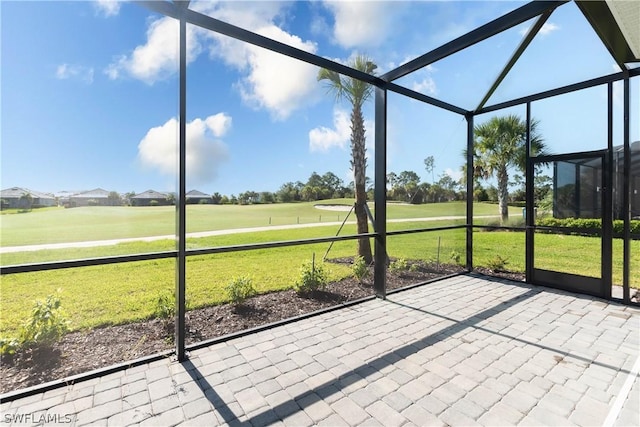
(462, 351)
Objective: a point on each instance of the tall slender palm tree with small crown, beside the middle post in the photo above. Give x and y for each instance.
(356, 92)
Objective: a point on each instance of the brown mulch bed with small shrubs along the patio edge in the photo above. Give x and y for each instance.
(83, 351)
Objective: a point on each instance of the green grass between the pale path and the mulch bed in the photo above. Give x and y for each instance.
(112, 294)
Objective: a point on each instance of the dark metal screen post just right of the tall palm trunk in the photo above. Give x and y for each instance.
(380, 194)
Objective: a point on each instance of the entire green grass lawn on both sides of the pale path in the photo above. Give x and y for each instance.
(121, 293)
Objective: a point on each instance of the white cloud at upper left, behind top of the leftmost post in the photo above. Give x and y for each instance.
(157, 59)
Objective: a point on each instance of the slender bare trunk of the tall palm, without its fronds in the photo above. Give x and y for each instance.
(359, 165)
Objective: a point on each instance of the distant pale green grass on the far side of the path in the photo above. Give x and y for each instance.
(59, 225)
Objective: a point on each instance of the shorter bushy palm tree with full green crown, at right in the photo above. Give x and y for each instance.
(500, 144)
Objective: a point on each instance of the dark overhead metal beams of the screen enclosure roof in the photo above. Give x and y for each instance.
(617, 24)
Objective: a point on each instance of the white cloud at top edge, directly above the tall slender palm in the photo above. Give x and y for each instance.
(361, 23)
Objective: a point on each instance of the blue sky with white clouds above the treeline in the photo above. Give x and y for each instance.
(89, 91)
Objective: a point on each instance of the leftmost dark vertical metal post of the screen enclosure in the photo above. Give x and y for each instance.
(181, 200)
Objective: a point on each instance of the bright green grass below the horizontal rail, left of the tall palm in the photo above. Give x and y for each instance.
(113, 294)
